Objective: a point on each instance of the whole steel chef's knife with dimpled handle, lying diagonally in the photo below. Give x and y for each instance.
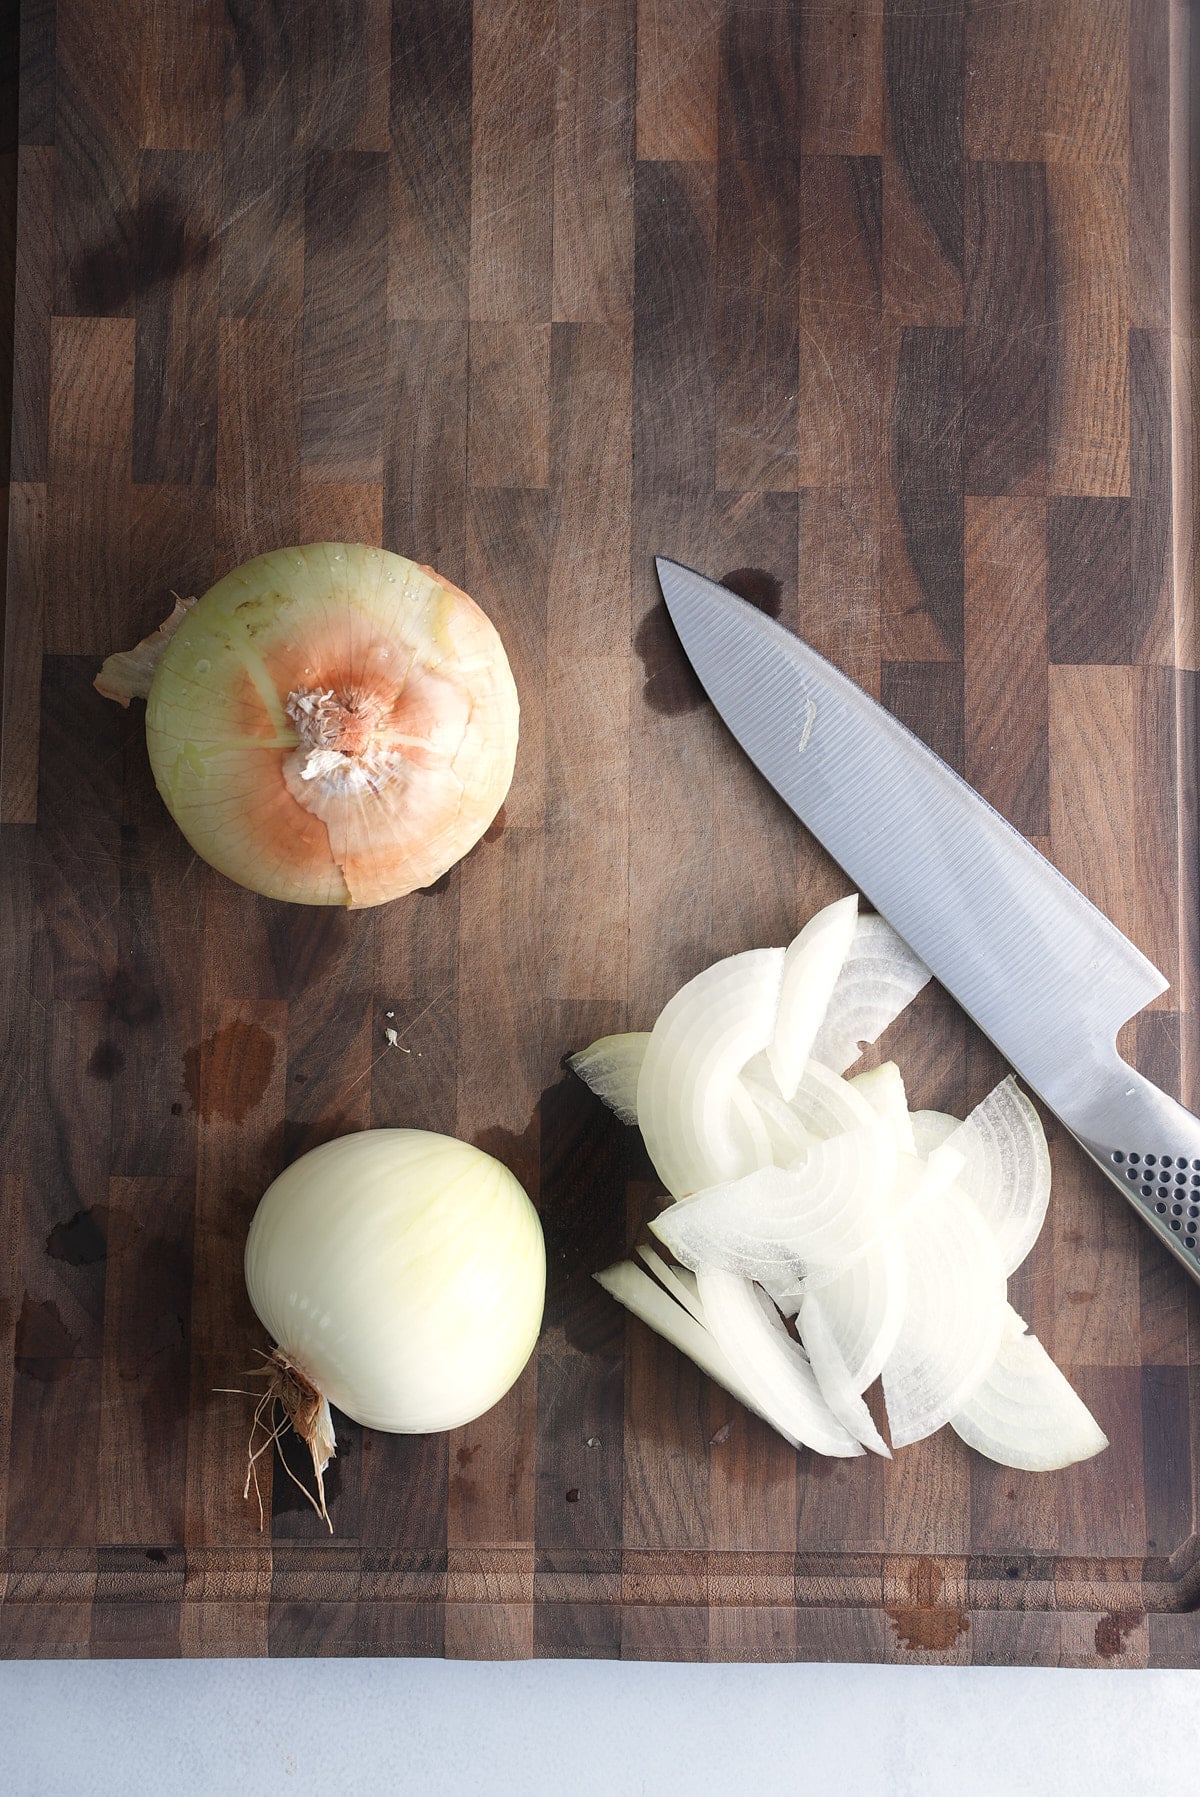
(1025, 953)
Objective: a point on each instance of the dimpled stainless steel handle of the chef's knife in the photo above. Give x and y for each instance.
(1149, 1146)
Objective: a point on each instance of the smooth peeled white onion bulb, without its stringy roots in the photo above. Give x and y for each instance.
(403, 1275)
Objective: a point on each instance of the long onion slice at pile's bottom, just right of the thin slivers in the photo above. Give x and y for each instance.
(772, 1365)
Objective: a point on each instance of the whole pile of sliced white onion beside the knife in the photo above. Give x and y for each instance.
(888, 1235)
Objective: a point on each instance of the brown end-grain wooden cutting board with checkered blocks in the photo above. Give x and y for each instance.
(879, 310)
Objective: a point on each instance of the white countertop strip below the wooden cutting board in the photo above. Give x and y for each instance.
(592, 1730)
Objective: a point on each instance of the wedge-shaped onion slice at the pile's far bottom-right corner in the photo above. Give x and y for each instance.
(1025, 1413)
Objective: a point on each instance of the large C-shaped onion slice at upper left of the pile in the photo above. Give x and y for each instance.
(705, 1036)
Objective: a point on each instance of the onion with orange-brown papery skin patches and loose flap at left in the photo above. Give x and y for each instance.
(328, 725)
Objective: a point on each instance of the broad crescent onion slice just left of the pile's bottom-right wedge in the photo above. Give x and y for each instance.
(953, 1322)
